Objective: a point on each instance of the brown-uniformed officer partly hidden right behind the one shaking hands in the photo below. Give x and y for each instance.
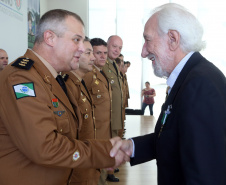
(81, 100)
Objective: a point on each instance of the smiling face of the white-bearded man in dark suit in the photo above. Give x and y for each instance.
(155, 48)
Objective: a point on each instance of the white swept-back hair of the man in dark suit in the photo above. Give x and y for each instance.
(172, 16)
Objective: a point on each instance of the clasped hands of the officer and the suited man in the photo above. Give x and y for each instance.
(122, 151)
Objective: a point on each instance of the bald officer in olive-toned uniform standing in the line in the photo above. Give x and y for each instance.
(114, 45)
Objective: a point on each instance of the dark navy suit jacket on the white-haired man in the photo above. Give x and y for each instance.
(191, 149)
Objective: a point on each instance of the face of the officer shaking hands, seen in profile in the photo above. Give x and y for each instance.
(69, 47)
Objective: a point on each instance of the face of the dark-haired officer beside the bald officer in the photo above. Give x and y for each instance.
(100, 53)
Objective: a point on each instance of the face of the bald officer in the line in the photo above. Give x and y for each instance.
(114, 47)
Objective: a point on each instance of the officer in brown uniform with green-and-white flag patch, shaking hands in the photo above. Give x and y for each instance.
(38, 126)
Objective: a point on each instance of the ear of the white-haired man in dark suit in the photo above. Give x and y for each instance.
(173, 39)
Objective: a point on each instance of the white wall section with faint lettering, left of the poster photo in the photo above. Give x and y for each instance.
(13, 37)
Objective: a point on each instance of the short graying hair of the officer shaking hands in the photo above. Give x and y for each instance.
(54, 20)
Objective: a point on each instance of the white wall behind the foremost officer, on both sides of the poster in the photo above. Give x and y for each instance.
(14, 36)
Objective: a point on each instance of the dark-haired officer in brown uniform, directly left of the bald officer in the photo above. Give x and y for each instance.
(100, 90)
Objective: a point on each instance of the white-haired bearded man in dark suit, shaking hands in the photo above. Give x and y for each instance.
(189, 139)
